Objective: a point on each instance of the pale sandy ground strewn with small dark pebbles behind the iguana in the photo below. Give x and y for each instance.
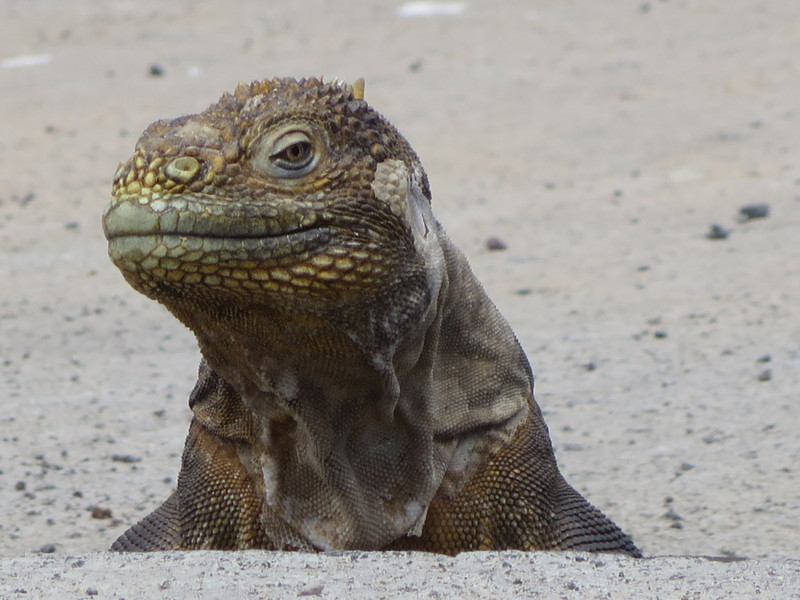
(598, 140)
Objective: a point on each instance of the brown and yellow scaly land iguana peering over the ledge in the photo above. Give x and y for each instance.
(358, 389)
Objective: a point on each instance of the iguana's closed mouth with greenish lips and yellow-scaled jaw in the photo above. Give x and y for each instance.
(160, 244)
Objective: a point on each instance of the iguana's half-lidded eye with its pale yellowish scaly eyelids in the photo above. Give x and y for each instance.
(286, 153)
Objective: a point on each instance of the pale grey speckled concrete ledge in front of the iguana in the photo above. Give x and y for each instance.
(400, 575)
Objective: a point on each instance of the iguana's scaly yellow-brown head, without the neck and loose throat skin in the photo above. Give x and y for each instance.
(290, 193)
